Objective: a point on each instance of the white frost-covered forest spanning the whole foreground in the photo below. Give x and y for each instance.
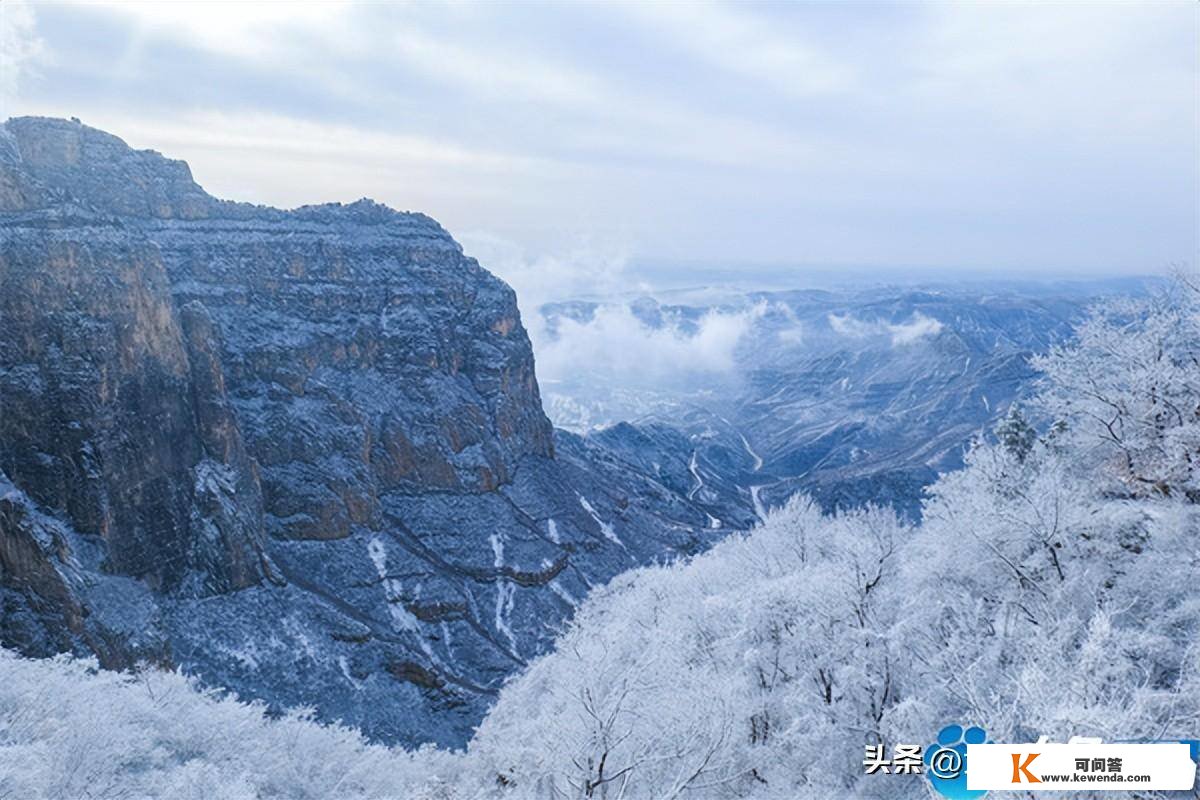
(1049, 590)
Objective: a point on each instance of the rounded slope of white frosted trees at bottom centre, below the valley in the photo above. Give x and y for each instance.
(759, 669)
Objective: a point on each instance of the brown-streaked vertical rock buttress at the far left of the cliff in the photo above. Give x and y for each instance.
(100, 419)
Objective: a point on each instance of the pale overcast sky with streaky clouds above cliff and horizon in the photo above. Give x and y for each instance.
(971, 137)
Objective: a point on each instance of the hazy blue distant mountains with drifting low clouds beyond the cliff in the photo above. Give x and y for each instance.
(856, 396)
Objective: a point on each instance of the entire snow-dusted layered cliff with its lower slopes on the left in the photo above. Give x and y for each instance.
(301, 454)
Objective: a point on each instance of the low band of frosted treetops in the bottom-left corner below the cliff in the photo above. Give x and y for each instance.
(69, 730)
